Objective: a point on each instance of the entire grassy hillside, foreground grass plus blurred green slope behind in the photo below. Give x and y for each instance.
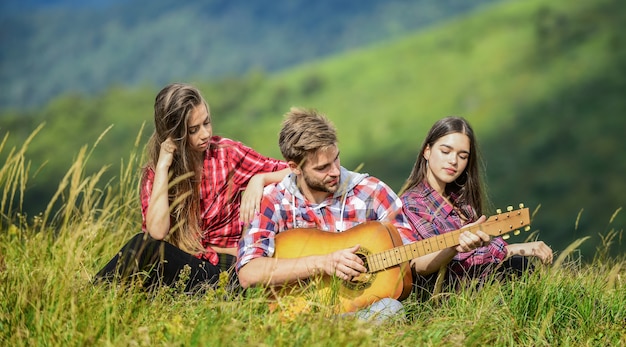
(541, 81)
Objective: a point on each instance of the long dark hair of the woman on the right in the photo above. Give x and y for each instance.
(468, 185)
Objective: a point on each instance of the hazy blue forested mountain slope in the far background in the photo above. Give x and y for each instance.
(53, 47)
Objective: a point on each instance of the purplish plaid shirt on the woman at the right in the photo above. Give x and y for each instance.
(430, 215)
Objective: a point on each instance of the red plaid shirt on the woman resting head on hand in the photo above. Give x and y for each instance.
(228, 166)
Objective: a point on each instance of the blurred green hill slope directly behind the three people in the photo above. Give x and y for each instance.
(542, 83)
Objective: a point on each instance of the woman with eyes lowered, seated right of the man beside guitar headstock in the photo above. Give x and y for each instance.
(444, 193)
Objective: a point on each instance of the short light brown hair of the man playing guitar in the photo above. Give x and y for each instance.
(305, 131)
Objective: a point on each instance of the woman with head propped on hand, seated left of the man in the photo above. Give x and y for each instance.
(192, 189)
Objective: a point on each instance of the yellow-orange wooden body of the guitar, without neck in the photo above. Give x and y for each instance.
(346, 296)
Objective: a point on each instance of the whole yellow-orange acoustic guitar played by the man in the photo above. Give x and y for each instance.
(384, 256)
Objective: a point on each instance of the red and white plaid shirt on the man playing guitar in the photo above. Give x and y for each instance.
(283, 207)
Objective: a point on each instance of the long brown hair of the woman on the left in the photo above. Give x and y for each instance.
(172, 108)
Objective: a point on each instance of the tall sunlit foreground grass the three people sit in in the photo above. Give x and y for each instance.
(47, 299)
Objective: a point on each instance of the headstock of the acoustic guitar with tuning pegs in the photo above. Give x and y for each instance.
(503, 223)
